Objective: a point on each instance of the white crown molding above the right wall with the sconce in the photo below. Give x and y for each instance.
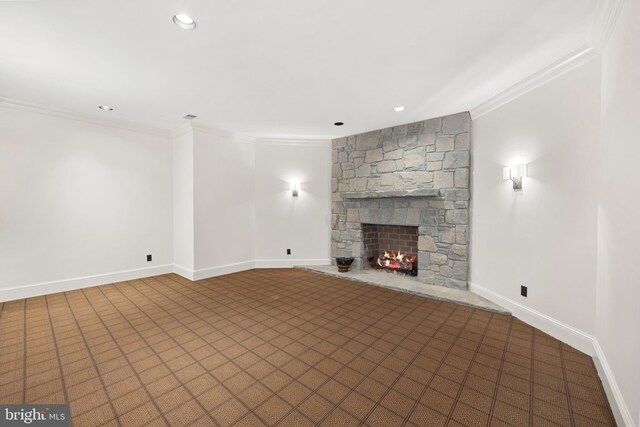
(551, 72)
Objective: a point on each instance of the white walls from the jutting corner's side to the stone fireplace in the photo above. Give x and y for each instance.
(233, 208)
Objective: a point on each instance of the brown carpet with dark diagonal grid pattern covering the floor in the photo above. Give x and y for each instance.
(287, 347)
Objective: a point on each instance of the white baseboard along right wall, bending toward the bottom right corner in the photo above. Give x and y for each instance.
(572, 336)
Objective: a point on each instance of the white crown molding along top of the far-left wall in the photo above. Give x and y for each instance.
(83, 118)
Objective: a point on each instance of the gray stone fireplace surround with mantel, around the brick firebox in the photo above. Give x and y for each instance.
(414, 174)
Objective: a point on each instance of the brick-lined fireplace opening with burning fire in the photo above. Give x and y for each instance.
(392, 248)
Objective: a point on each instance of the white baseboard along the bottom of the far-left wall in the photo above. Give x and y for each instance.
(45, 288)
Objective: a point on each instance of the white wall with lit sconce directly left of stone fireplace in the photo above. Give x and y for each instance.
(283, 222)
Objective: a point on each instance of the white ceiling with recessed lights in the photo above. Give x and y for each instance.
(276, 68)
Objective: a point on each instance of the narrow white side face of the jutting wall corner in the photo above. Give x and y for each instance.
(183, 201)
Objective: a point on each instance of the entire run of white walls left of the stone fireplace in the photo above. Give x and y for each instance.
(84, 203)
